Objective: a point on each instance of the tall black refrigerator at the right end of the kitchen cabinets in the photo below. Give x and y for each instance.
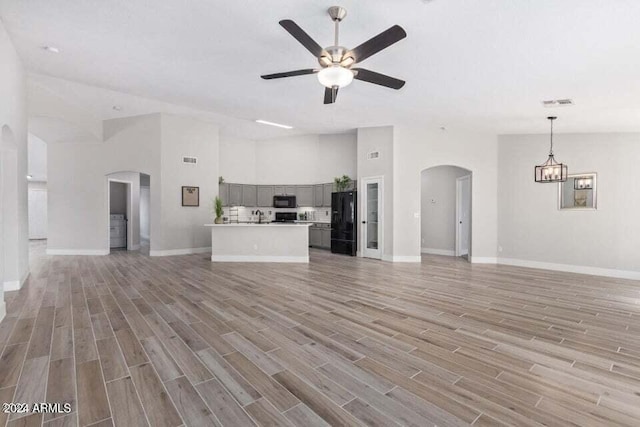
(344, 233)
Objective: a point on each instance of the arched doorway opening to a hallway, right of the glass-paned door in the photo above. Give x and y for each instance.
(445, 205)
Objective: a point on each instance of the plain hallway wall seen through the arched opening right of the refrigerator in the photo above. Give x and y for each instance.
(438, 209)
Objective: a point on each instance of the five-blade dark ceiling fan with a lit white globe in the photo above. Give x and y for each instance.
(337, 62)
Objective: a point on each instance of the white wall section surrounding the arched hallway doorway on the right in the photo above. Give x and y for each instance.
(416, 149)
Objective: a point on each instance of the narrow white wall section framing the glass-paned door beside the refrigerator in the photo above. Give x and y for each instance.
(378, 139)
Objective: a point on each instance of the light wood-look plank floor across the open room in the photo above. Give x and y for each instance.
(130, 340)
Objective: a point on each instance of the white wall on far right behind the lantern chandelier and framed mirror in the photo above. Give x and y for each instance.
(532, 228)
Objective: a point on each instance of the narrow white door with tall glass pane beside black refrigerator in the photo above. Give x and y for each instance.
(372, 218)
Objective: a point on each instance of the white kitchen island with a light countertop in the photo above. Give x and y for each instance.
(266, 242)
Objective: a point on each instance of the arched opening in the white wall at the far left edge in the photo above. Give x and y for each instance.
(9, 250)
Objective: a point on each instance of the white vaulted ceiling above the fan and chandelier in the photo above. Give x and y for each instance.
(484, 65)
